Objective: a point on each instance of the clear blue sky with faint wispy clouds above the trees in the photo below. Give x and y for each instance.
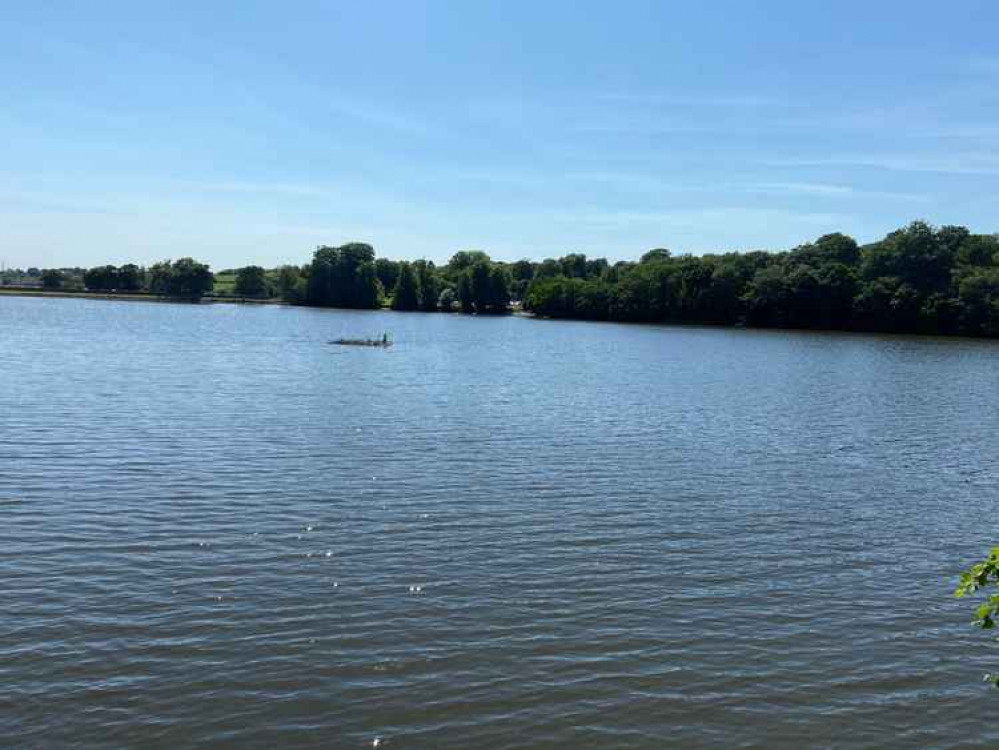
(250, 132)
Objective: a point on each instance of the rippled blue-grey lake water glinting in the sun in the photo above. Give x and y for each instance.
(218, 531)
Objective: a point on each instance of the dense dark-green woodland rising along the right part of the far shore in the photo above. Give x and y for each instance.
(917, 279)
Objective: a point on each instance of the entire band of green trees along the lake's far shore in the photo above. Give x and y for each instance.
(918, 279)
